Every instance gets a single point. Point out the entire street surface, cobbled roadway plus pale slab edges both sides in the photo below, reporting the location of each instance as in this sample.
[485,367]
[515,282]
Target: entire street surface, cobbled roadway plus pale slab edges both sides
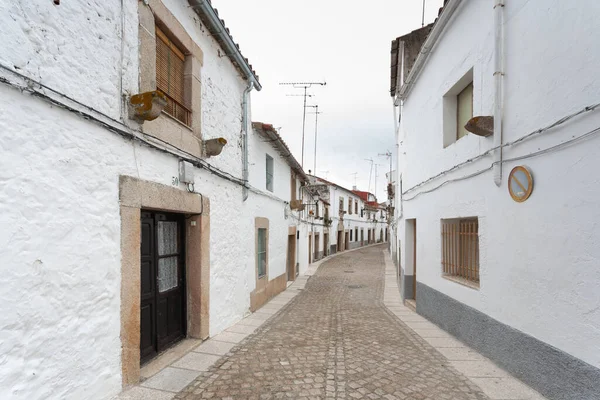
[344,334]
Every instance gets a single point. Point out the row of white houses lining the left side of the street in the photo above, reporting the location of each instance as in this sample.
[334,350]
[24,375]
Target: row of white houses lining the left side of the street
[139,204]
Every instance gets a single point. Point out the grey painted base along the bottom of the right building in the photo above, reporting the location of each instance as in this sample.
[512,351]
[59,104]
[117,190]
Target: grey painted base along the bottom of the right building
[552,372]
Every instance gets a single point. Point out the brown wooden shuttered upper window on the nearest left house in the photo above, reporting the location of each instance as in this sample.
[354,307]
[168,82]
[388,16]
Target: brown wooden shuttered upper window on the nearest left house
[170,66]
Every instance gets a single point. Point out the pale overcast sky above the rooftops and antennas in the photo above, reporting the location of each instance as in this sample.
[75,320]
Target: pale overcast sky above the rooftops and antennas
[345,43]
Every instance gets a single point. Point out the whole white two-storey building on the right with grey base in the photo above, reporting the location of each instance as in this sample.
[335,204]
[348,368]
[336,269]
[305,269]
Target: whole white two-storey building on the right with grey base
[507,263]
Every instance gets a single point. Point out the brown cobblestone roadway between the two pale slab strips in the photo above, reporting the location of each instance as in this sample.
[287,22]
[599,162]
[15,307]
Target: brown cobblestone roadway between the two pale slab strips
[336,340]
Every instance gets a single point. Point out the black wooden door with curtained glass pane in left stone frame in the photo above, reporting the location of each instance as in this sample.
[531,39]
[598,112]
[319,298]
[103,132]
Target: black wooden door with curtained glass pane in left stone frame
[162,311]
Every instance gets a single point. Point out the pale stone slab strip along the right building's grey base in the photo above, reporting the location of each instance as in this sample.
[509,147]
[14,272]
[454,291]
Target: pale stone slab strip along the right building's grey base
[495,383]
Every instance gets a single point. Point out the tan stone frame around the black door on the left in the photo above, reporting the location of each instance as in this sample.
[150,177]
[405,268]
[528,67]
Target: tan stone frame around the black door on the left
[134,195]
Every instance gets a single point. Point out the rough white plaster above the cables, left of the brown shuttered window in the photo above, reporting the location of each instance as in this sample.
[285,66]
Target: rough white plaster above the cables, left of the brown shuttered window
[44,41]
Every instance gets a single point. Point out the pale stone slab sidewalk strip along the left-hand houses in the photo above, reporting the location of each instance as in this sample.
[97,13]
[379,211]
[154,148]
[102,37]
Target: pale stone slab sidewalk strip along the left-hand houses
[173,370]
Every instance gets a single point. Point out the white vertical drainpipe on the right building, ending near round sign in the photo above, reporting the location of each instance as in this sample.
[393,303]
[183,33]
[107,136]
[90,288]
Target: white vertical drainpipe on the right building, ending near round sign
[498,81]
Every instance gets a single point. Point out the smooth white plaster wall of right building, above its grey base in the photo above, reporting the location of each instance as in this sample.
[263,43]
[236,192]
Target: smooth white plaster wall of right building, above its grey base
[538,259]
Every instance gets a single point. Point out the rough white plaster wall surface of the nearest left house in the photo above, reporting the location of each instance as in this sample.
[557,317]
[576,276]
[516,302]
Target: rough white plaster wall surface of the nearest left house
[60,246]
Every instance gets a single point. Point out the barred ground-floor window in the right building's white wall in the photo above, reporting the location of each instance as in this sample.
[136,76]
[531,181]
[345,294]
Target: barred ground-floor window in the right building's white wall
[460,248]
